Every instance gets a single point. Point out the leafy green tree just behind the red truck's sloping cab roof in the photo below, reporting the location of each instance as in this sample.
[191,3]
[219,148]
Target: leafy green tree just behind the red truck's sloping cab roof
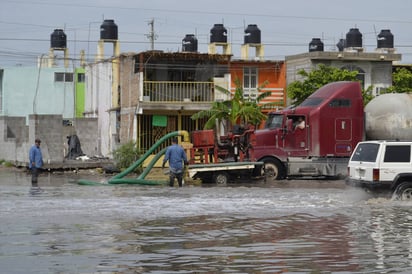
[299,91]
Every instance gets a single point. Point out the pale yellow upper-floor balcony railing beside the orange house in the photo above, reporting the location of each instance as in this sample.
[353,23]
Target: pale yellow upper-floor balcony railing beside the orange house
[170,91]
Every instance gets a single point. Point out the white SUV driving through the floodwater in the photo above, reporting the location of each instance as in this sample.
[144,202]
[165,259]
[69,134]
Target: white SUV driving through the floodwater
[382,164]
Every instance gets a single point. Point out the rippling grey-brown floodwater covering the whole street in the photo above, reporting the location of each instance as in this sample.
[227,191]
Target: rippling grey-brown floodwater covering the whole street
[285,227]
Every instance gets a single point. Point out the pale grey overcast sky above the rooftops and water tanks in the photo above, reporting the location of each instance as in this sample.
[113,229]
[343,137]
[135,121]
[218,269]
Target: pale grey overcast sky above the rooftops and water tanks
[286,26]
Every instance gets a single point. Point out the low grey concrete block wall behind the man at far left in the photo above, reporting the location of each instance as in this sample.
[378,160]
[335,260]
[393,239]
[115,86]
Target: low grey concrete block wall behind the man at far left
[16,138]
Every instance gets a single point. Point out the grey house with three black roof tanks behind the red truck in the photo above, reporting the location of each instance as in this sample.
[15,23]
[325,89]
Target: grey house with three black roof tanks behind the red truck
[374,67]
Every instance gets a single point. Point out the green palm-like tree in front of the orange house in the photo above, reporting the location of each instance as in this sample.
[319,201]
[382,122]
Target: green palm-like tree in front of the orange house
[237,110]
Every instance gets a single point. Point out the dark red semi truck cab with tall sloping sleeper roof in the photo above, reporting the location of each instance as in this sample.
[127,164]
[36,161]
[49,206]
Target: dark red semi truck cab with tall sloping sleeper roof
[317,137]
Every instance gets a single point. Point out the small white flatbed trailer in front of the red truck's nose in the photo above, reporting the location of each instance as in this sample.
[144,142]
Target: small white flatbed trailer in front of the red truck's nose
[222,173]
